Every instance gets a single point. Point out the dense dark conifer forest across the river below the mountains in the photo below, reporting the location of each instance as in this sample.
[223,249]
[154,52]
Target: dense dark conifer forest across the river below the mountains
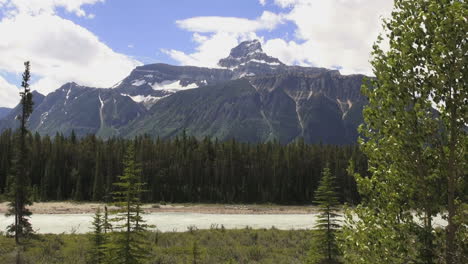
[183,169]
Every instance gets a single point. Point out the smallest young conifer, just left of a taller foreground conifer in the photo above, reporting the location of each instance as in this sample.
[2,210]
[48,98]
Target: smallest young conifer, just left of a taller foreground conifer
[98,239]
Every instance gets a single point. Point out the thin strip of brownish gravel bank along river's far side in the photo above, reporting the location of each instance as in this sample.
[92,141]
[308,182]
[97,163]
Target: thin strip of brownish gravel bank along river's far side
[89,208]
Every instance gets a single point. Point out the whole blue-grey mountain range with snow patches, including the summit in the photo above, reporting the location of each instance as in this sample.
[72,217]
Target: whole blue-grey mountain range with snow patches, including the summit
[252,97]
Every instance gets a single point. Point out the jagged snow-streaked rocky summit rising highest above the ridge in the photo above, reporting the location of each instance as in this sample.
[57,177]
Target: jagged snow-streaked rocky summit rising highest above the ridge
[248,52]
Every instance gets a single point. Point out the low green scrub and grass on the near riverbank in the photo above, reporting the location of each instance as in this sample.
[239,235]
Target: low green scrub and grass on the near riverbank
[216,245]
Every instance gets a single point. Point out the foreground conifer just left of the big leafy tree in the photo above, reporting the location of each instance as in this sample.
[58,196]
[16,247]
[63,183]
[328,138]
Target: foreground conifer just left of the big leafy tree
[324,244]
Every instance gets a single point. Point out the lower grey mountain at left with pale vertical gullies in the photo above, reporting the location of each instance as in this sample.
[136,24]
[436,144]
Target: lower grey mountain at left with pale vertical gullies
[84,109]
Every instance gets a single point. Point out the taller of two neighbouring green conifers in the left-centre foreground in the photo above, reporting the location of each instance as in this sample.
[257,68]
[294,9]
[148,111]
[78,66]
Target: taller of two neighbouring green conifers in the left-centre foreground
[128,245]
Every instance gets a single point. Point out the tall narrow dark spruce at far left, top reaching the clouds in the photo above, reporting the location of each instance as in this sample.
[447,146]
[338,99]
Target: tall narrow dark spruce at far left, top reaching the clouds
[19,193]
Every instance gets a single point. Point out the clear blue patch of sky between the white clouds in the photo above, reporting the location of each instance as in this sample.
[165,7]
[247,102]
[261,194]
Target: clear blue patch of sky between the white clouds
[141,28]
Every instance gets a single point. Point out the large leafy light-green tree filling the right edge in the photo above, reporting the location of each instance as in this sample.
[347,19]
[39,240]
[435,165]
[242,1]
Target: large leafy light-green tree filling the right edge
[415,138]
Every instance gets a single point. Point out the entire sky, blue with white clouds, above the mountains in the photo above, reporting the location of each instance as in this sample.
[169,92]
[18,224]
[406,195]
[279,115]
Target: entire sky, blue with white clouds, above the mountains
[98,42]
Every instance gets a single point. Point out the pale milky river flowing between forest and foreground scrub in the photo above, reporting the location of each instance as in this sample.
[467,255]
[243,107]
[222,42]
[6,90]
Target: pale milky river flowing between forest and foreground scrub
[176,222]
